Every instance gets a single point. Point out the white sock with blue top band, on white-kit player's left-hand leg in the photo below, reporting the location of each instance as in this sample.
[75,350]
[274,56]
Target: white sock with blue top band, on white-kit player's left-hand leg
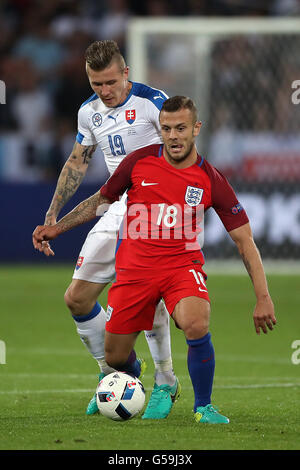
[91,330]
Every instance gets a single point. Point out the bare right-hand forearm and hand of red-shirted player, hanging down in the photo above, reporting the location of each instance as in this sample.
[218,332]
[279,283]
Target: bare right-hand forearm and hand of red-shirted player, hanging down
[264,316]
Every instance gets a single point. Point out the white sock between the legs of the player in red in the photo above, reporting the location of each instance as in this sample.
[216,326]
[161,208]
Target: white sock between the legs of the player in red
[159,343]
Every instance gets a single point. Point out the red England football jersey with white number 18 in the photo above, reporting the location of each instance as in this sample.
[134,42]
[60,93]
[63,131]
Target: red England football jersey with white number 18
[165,208]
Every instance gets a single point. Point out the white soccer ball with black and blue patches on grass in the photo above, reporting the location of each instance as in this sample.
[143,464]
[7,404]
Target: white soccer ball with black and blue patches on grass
[120,396]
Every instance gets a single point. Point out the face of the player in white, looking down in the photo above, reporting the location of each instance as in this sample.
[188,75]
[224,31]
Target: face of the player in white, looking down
[110,84]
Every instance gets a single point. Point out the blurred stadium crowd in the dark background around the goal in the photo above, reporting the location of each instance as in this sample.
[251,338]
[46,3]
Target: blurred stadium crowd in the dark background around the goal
[41,62]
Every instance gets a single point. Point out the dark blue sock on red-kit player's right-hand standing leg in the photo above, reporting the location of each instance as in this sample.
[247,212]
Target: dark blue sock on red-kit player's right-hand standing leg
[201,366]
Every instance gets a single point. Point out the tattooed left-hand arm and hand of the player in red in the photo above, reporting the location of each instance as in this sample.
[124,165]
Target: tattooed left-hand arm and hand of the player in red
[84,212]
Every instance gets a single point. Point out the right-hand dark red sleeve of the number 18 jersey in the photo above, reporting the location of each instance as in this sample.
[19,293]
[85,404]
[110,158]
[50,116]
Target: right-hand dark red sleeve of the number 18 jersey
[225,202]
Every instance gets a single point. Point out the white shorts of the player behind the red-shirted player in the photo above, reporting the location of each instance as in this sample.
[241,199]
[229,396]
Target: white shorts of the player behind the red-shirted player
[96,261]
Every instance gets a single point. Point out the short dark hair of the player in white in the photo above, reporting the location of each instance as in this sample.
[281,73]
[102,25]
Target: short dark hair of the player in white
[100,54]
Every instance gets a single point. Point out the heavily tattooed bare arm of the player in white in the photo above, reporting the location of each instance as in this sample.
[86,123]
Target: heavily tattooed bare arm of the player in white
[70,179]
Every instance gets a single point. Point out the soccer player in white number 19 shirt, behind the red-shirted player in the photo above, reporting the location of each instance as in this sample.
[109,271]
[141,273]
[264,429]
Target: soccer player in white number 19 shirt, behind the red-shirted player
[120,117]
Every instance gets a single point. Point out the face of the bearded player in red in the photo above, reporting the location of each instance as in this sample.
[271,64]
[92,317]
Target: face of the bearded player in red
[178,130]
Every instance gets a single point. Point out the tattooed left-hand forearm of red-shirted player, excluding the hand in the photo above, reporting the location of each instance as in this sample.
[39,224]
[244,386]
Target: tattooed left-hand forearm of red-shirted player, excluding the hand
[84,212]
